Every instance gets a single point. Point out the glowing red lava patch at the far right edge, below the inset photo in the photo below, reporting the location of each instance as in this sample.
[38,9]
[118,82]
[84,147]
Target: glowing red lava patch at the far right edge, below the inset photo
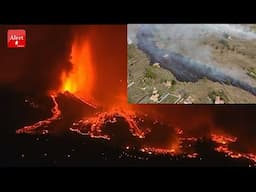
[223,147]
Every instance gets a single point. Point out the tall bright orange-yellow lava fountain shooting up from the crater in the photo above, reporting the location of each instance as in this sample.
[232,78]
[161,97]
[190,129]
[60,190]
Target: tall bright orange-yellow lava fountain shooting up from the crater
[80,79]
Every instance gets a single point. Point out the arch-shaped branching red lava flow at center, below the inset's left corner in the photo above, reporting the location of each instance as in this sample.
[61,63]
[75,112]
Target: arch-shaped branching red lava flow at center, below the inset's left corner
[93,126]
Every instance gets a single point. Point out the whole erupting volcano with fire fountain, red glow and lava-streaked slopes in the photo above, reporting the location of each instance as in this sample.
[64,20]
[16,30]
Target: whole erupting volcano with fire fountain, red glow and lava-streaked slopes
[89,110]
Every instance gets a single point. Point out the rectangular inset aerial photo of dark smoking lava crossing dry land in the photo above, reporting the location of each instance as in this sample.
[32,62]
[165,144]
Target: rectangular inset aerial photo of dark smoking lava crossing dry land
[191,63]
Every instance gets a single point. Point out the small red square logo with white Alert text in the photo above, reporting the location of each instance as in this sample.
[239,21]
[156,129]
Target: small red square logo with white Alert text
[16,38]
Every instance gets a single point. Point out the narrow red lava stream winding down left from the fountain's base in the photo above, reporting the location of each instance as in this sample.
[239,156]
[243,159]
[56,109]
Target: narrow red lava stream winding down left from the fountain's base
[33,128]
